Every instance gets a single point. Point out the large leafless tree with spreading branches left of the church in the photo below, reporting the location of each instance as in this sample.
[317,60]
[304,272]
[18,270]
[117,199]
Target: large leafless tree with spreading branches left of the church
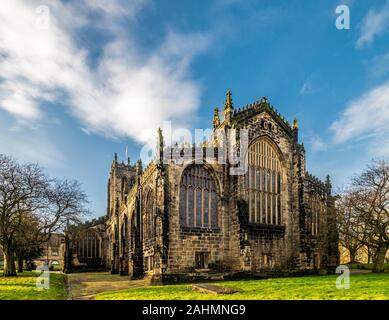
[27,193]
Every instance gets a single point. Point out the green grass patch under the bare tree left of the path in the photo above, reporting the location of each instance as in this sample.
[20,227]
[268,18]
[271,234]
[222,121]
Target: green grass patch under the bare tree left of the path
[23,287]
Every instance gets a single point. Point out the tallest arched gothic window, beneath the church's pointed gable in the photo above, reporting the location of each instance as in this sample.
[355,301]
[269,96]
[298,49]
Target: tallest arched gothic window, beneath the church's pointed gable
[263,184]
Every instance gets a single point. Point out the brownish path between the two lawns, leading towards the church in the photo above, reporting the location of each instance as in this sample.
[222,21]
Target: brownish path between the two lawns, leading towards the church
[84,286]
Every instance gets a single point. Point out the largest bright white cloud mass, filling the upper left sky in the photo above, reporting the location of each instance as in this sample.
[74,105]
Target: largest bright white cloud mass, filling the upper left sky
[130,92]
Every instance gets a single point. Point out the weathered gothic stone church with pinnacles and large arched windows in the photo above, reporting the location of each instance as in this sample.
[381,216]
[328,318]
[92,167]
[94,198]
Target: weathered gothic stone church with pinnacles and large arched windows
[173,221]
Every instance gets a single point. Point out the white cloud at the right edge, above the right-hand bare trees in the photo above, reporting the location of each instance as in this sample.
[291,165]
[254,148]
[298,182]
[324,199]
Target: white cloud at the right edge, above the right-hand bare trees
[364,117]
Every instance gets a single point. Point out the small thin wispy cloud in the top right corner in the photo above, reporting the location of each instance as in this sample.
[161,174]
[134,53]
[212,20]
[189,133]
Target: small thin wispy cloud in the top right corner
[373,24]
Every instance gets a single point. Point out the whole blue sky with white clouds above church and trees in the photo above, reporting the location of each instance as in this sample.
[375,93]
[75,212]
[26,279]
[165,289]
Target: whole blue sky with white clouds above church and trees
[88,78]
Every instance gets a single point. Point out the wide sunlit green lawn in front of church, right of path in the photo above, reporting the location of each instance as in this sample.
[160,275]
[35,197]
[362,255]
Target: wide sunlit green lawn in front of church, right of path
[362,286]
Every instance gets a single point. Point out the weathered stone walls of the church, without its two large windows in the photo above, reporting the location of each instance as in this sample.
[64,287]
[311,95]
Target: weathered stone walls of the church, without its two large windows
[169,250]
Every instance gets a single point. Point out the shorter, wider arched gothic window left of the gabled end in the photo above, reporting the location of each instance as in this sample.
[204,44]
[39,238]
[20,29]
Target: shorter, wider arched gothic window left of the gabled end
[198,203]
